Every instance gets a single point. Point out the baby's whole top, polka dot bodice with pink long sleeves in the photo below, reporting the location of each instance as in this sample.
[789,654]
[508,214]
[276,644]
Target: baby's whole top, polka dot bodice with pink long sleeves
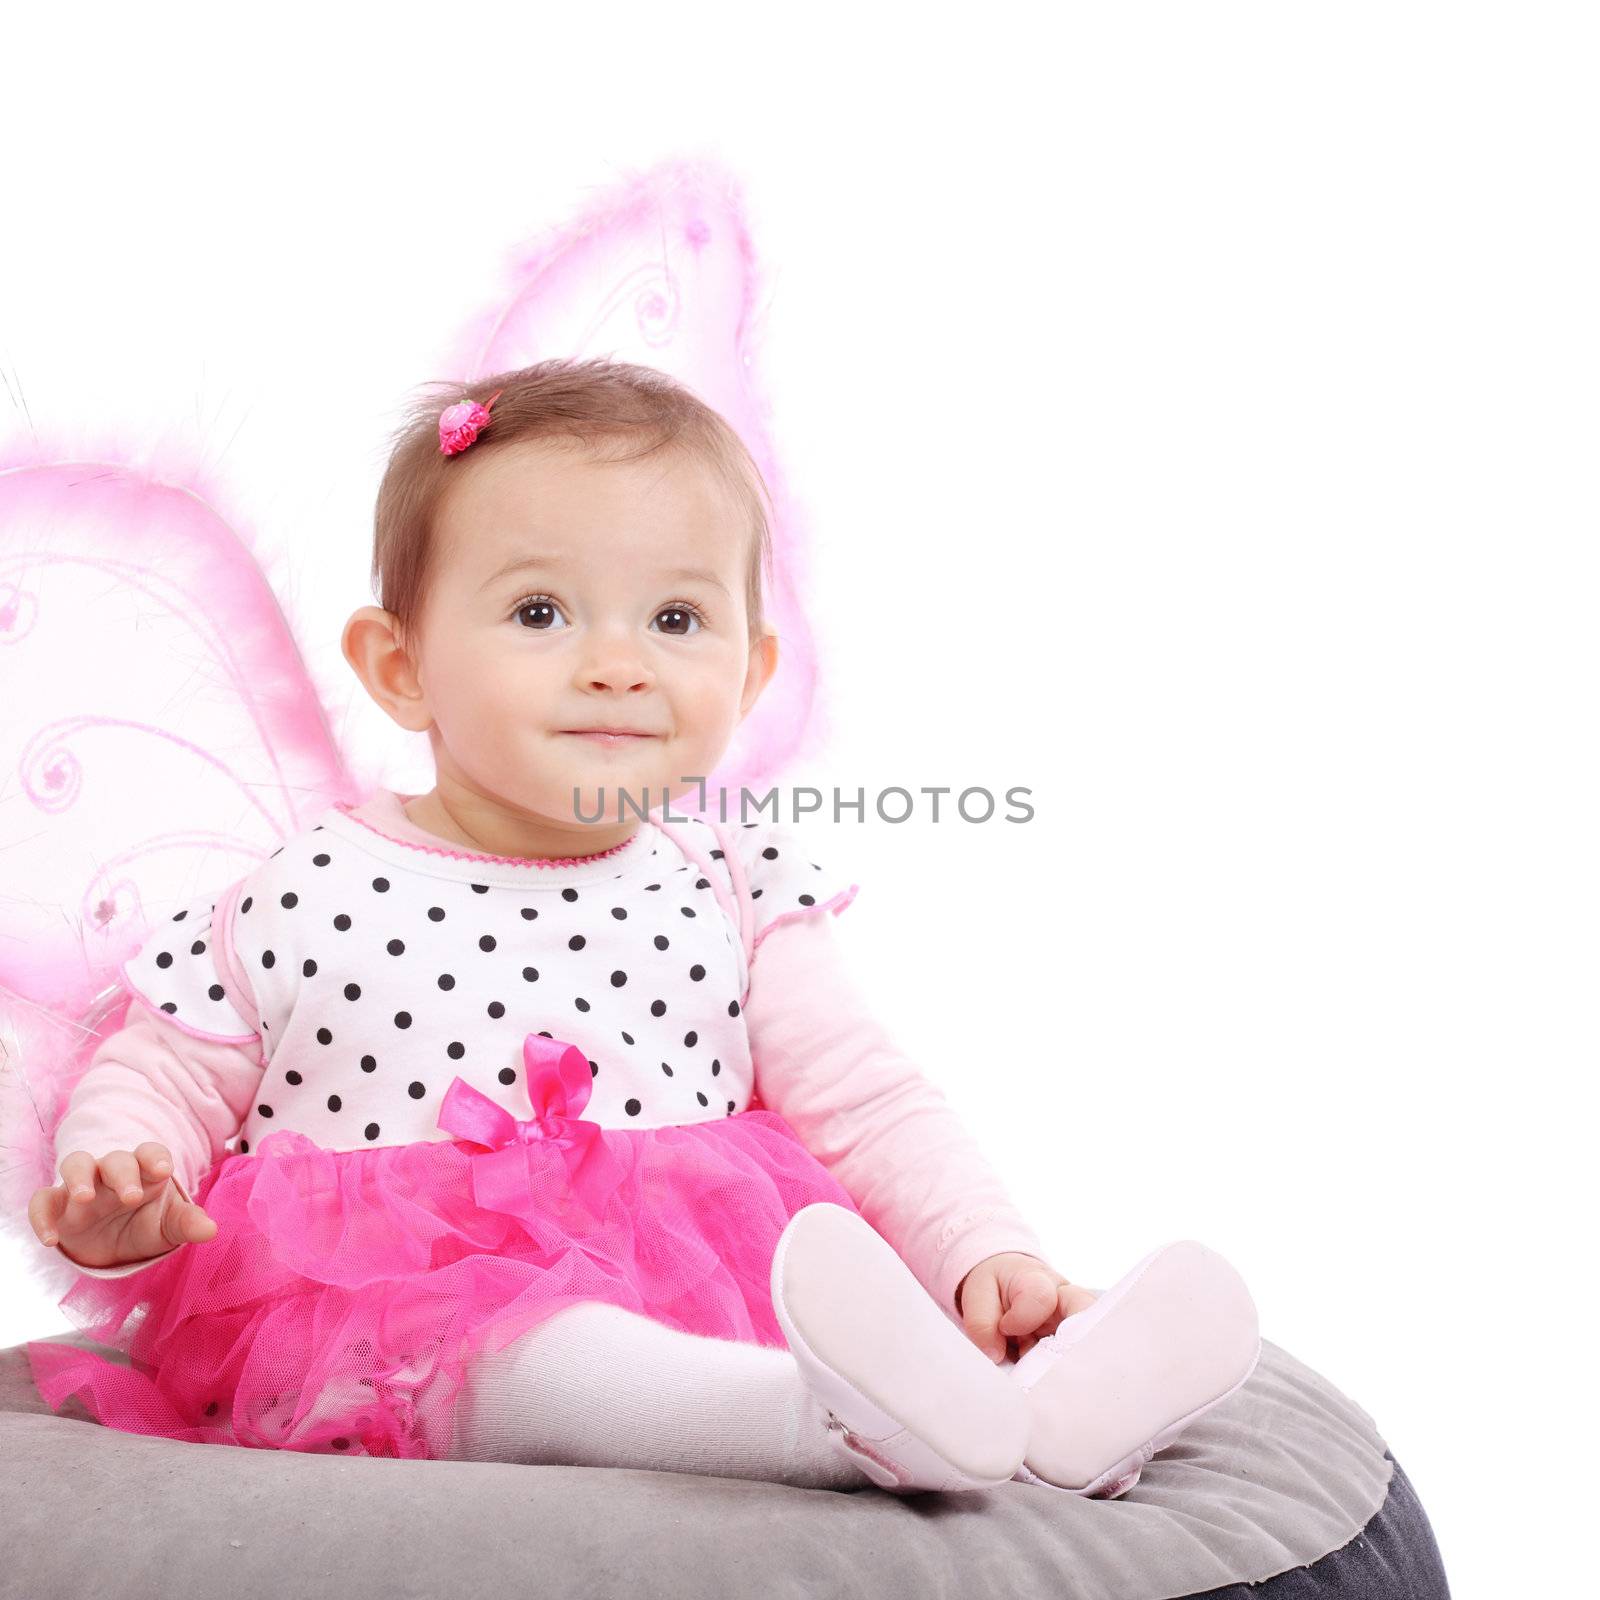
[231,1026]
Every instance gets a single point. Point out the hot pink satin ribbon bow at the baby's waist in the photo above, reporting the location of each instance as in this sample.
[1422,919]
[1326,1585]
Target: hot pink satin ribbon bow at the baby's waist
[559,1084]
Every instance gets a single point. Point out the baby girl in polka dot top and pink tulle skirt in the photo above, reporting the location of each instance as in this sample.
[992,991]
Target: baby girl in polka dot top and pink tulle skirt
[529,1121]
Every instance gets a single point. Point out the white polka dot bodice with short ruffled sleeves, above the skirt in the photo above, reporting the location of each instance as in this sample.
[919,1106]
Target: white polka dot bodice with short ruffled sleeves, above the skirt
[374,969]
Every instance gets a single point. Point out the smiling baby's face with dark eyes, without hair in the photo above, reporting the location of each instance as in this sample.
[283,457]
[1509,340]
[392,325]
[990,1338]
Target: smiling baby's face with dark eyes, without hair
[572,594]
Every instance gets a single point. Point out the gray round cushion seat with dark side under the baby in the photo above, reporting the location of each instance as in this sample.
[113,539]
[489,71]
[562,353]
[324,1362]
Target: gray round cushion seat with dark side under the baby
[1286,1478]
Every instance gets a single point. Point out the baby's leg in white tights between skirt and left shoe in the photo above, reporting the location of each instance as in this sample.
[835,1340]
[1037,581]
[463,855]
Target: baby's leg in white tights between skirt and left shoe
[599,1386]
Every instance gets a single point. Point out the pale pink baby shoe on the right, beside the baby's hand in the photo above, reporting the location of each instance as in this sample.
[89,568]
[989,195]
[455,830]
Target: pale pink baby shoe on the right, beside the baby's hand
[1121,1380]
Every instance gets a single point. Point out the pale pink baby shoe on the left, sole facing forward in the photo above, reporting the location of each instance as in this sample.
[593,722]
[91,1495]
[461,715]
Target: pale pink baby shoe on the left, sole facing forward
[910,1398]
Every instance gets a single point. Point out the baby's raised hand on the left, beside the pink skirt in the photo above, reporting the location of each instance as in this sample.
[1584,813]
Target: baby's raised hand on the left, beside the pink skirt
[119,1209]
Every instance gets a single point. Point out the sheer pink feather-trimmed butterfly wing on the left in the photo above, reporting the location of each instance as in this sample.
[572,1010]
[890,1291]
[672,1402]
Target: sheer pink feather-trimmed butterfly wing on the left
[159,735]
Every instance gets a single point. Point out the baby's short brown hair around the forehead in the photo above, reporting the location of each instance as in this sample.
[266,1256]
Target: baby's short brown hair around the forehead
[580,402]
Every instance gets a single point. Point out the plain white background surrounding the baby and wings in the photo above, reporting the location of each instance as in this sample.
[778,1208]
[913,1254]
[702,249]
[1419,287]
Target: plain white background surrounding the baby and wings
[1196,409]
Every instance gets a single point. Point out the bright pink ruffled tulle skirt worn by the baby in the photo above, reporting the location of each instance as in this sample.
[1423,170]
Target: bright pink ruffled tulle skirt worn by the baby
[346,1292]
